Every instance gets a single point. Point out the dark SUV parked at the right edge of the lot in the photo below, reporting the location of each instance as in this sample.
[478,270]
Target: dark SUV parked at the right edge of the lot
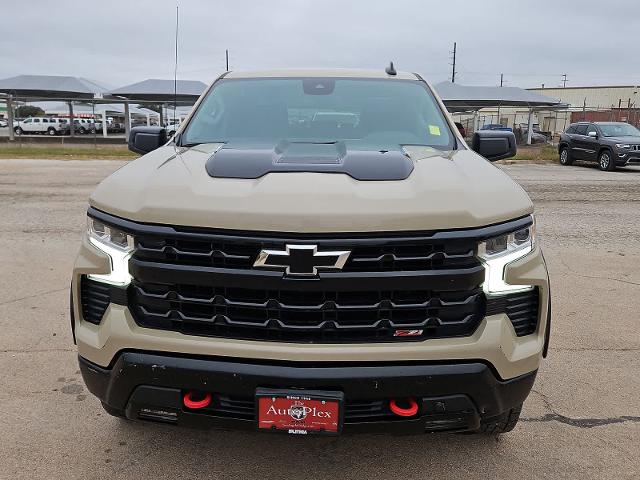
[611,144]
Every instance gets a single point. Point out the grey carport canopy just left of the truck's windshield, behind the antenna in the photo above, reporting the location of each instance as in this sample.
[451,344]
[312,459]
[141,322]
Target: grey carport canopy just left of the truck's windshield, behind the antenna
[161,91]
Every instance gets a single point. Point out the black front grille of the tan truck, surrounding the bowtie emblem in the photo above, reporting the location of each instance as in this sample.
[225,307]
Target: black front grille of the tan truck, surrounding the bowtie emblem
[395,287]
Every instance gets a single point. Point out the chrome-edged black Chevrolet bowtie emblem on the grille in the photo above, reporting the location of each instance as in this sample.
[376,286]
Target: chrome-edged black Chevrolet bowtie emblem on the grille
[301,259]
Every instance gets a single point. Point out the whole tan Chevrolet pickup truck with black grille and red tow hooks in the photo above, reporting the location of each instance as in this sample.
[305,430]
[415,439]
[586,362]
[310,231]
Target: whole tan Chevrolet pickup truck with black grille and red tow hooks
[263,270]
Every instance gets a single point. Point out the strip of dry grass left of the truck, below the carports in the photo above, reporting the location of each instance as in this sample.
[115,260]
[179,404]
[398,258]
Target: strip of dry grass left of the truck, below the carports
[69,153]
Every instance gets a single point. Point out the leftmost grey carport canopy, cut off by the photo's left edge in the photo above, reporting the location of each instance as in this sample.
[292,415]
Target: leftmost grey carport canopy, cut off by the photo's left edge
[51,86]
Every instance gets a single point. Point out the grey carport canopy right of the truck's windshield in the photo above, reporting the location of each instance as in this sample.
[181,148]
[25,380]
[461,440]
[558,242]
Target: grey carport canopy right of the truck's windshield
[458,97]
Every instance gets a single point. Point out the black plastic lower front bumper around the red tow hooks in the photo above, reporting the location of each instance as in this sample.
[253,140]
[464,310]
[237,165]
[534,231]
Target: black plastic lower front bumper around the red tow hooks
[451,396]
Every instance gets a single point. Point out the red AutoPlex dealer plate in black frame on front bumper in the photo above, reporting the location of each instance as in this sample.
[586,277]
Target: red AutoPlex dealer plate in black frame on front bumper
[312,420]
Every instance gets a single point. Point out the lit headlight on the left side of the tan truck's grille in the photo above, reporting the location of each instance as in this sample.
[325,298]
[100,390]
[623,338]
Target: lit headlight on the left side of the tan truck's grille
[115,243]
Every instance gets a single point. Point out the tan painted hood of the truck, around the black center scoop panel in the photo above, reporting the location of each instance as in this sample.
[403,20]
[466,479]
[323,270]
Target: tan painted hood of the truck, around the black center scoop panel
[444,190]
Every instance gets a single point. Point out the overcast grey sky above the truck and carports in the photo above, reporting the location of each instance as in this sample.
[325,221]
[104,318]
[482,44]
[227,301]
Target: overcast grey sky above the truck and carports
[118,42]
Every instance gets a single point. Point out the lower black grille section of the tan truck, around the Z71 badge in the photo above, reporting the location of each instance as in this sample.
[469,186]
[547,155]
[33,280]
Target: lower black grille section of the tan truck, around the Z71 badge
[300,316]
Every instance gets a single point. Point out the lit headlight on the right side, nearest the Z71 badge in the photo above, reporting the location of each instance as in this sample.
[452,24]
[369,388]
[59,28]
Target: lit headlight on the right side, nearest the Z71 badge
[497,252]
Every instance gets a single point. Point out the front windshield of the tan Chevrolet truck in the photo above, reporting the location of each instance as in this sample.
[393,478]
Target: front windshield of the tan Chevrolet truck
[364,111]
